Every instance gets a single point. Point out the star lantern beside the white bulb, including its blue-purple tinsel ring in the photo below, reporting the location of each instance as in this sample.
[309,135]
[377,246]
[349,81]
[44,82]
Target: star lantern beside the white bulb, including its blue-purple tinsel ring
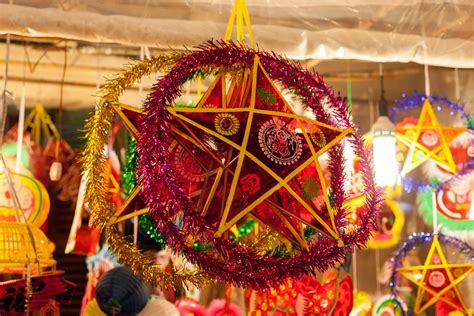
[426,140]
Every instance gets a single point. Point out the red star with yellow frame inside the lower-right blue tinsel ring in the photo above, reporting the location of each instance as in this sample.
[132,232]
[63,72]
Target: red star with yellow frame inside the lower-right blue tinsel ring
[437,279]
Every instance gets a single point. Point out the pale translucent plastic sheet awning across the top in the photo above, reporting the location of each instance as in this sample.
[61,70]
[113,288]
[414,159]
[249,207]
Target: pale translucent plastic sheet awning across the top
[432,32]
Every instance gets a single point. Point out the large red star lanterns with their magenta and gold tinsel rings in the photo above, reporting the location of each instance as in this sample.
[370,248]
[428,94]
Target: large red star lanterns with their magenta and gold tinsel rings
[240,153]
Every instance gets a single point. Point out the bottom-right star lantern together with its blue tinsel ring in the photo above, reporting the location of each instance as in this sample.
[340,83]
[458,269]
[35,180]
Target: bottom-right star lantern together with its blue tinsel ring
[437,279]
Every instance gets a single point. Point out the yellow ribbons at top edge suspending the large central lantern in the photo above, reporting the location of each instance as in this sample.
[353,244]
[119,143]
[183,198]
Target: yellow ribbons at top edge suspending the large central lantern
[240,15]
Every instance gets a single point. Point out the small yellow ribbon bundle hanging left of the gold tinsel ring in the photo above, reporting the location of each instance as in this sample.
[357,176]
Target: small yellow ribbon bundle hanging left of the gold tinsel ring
[39,121]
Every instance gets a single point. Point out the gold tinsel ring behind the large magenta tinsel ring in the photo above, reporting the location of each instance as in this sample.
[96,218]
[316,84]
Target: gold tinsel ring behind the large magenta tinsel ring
[97,191]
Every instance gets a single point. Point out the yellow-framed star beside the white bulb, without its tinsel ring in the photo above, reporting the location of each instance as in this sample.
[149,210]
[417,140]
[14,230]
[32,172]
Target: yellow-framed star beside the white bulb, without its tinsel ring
[428,139]
